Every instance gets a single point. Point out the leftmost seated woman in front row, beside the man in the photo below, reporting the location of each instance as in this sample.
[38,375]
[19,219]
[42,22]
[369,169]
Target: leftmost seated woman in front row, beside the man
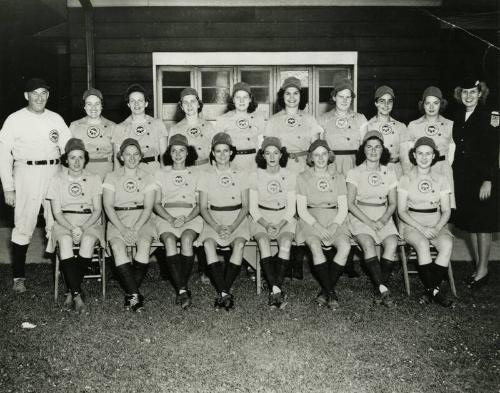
[75,199]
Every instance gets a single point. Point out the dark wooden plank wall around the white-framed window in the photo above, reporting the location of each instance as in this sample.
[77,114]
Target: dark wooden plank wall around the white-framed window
[398,46]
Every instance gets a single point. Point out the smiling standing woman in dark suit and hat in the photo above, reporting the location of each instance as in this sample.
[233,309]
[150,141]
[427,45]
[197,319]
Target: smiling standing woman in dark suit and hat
[476,173]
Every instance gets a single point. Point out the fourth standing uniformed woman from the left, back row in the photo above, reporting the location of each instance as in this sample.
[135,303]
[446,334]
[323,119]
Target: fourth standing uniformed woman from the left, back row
[243,124]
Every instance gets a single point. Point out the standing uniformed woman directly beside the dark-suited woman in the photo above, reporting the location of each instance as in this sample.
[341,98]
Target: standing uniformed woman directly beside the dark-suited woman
[437,127]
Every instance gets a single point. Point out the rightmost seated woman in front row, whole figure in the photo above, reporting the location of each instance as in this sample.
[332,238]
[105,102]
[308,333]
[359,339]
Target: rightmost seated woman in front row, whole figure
[424,210]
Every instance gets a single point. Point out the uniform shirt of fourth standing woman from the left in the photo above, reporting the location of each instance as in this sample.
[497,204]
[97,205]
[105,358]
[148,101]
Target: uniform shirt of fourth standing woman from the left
[244,128]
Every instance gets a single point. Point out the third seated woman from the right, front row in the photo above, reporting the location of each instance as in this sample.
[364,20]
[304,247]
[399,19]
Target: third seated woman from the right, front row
[322,208]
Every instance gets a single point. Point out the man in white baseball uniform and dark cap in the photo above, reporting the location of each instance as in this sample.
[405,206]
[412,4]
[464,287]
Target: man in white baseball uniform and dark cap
[31,142]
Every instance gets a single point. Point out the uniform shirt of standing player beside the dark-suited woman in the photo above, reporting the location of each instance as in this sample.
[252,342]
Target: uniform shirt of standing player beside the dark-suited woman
[440,131]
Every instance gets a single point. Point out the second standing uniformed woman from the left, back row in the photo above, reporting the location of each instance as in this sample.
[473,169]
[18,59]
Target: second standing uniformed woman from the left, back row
[151,133]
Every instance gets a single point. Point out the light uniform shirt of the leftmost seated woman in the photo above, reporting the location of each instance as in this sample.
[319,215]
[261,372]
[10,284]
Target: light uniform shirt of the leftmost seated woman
[74,194]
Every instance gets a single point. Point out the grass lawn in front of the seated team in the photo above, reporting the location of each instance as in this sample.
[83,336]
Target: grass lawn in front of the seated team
[359,348]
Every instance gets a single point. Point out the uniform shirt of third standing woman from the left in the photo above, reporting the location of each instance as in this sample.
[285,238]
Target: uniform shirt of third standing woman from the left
[199,135]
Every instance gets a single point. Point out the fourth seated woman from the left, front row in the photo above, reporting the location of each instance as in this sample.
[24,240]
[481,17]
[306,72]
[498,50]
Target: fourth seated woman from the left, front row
[224,206]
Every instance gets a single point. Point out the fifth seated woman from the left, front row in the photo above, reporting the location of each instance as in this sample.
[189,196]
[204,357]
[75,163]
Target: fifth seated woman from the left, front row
[272,207]
